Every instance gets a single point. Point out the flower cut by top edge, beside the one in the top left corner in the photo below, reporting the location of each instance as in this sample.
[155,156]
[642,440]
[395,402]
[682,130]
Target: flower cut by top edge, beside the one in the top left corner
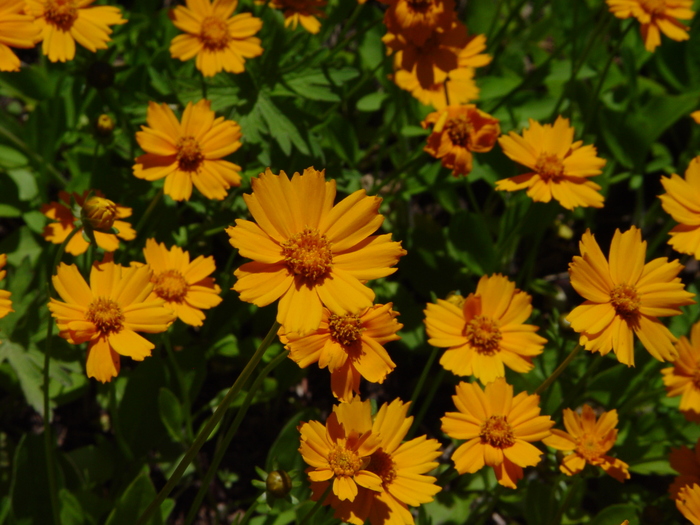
[65,22]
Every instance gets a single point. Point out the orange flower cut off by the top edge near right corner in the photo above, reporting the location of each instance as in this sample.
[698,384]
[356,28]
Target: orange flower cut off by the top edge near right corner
[656,17]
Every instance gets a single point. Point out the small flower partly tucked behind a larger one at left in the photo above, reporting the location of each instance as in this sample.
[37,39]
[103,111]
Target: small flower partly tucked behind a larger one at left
[184,285]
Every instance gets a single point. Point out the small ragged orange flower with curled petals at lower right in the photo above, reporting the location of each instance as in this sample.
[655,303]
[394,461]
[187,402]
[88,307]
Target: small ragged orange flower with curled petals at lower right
[589,441]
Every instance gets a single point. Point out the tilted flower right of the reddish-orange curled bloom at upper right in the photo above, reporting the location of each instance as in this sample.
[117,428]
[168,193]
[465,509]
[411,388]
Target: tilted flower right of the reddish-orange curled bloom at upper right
[560,167]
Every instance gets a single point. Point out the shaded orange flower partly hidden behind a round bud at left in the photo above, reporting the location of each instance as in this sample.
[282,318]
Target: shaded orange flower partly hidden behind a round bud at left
[65,222]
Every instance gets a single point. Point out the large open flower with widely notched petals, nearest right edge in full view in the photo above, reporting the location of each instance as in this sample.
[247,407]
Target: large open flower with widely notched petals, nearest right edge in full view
[624,297]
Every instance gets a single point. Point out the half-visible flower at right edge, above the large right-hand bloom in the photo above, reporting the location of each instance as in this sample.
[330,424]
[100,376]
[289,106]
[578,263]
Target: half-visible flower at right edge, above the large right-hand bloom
[681,202]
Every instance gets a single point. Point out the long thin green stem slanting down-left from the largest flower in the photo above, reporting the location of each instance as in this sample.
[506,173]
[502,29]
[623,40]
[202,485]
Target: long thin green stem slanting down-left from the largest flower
[210,425]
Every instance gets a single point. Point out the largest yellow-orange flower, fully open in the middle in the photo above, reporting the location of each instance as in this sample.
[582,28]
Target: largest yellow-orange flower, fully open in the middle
[307,252]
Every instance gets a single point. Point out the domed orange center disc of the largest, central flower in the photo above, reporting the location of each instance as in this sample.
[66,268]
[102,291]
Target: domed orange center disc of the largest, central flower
[308,254]
